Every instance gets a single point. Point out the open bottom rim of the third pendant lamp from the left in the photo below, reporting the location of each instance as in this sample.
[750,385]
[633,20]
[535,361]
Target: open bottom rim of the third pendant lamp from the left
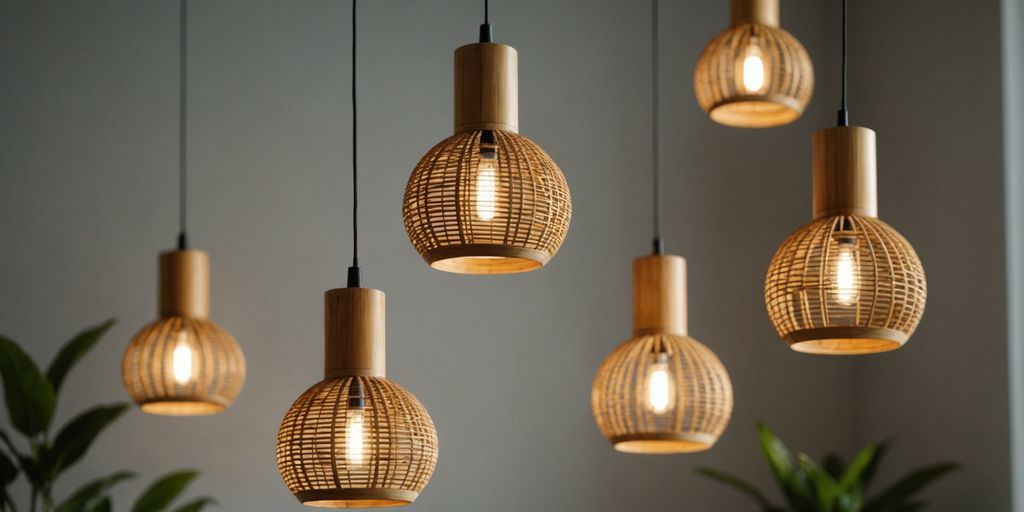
[486,259]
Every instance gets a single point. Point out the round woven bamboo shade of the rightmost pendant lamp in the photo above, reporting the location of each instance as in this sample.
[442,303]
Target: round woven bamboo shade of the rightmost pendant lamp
[879,310]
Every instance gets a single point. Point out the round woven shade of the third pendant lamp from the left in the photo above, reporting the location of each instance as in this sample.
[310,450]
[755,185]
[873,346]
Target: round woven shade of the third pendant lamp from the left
[529,206]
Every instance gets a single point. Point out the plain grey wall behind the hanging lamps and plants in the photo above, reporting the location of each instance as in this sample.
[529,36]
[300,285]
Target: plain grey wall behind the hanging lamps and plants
[89,99]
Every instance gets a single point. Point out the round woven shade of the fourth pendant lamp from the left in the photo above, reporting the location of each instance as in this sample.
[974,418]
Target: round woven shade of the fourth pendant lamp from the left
[702,397]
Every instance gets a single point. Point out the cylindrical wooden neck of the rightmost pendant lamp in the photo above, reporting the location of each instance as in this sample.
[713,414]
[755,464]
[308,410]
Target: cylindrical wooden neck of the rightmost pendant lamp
[845,173]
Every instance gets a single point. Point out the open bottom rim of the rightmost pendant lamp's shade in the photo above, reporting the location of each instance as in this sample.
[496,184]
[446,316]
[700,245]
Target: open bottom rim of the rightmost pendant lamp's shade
[846,340]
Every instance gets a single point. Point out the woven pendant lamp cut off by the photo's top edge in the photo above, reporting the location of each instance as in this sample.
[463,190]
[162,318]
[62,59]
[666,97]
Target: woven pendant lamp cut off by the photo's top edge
[754,75]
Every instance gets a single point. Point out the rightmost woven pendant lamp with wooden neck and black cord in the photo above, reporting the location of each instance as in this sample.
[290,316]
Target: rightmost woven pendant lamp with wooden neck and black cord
[846,283]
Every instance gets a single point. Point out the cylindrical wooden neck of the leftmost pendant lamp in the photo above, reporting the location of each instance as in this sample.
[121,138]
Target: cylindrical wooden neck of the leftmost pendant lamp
[185,284]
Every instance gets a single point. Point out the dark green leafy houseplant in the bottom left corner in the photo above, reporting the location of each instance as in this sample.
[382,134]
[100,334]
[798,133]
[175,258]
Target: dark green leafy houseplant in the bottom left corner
[31,397]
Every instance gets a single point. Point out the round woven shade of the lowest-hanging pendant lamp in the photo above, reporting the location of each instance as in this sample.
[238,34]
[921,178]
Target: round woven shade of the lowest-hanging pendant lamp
[400,447]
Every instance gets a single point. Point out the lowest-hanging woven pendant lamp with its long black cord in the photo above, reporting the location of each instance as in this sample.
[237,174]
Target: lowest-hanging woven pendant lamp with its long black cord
[356,440]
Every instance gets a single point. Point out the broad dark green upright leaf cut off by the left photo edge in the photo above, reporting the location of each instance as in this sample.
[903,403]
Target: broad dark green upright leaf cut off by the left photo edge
[29,397]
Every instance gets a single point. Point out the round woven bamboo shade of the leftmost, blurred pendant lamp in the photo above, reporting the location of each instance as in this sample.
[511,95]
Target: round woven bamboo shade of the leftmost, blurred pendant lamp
[218,368]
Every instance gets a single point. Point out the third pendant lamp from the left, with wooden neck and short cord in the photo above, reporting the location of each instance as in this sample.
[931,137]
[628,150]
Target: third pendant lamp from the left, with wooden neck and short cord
[487,200]
